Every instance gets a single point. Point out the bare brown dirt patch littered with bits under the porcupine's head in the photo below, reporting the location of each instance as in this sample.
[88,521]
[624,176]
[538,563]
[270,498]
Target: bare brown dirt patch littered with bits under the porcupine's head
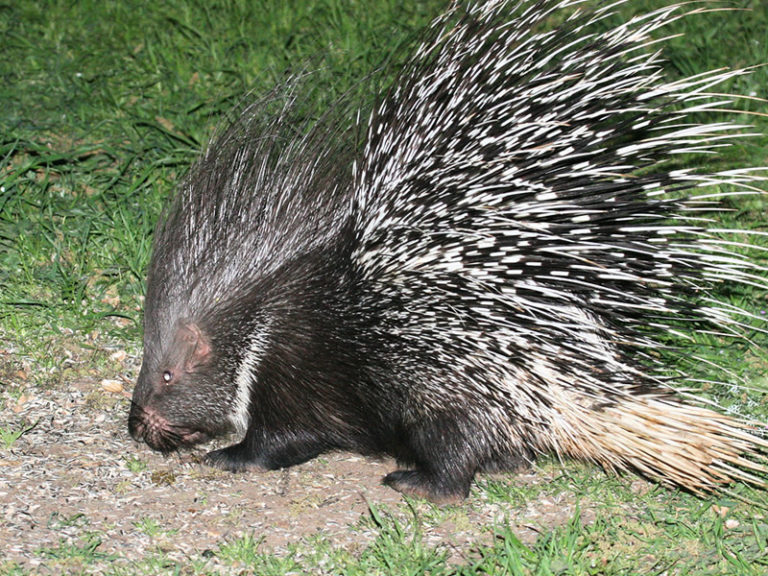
[75,476]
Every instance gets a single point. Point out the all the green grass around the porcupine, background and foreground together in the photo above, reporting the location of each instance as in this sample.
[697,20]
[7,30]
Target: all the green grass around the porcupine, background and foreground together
[106,104]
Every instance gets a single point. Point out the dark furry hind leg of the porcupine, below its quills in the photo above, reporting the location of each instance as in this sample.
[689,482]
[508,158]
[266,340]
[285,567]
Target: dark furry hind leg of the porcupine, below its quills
[444,461]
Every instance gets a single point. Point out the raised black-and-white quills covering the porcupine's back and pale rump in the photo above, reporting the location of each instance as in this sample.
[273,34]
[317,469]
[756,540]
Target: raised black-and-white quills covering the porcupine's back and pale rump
[520,233]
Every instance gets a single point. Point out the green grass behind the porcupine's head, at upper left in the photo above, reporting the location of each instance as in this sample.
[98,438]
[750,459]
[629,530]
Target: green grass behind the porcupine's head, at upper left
[105,104]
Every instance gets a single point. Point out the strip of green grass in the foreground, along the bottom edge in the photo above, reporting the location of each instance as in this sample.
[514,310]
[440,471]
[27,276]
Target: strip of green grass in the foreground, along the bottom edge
[658,533]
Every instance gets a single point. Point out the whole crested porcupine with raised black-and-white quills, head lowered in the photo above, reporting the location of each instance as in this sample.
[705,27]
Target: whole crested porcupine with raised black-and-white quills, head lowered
[487,277]
